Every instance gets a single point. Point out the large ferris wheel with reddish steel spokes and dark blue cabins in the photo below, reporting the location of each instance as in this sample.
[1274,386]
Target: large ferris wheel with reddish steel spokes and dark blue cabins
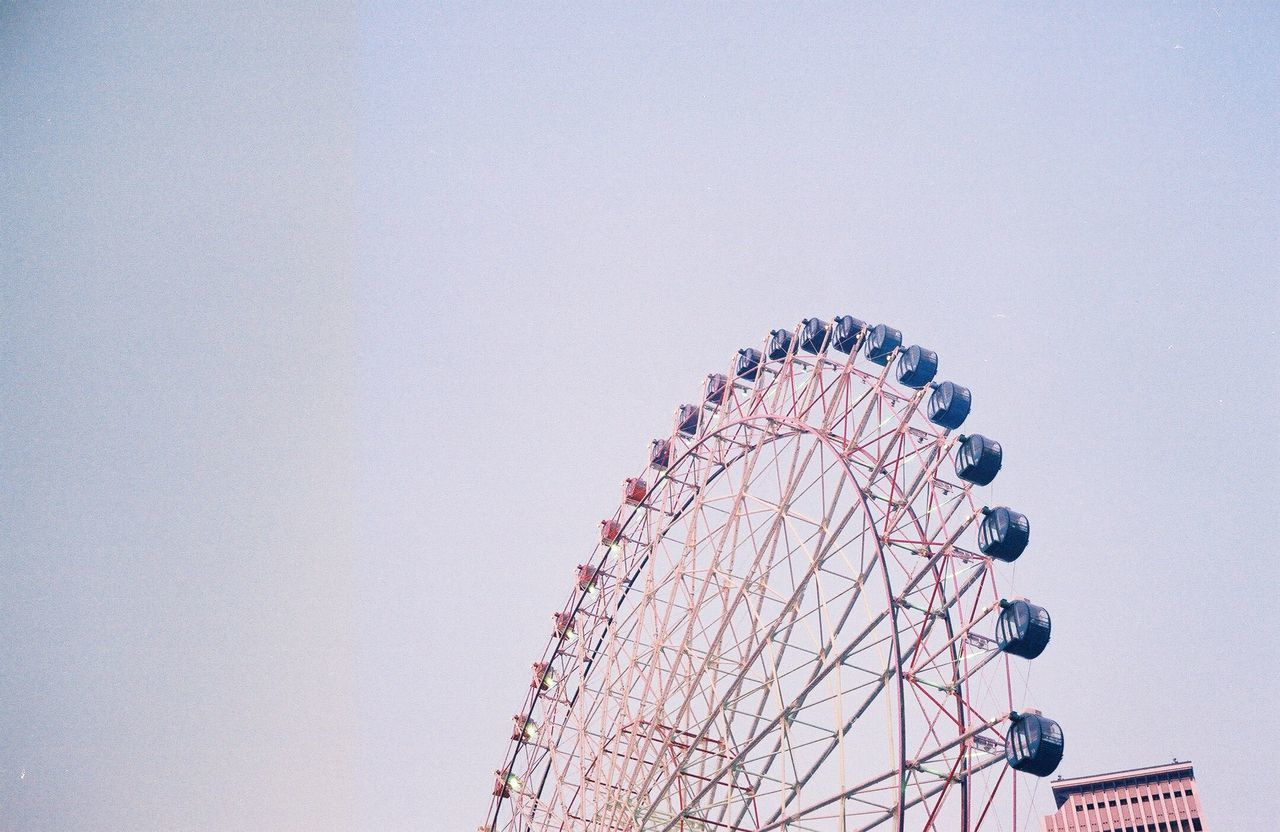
[793,619]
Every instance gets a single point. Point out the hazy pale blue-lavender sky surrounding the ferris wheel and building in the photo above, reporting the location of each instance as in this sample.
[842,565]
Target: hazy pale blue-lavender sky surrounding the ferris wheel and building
[328,333]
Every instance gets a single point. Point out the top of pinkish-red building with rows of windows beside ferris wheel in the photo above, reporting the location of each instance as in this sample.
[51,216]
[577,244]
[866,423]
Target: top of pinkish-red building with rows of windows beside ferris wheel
[1155,799]
